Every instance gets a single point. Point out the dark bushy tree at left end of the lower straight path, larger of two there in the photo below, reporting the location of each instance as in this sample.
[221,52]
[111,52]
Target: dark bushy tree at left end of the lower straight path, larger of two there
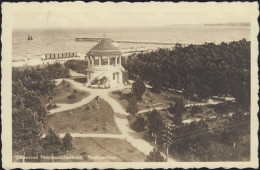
[52,144]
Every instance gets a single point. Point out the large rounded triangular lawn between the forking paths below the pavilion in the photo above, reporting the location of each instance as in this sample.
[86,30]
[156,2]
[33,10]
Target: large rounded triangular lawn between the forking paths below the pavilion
[93,117]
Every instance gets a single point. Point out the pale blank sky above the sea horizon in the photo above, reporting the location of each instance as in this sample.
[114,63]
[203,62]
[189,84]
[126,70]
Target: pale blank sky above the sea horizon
[53,15]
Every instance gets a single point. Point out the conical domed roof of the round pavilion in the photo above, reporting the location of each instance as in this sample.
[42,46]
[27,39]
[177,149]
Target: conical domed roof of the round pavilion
[104,48]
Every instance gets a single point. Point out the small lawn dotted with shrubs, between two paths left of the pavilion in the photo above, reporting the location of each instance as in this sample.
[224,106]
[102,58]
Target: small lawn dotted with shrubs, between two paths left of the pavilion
[67,93]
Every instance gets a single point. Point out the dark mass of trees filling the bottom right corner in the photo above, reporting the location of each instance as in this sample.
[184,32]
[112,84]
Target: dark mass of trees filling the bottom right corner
[197,142]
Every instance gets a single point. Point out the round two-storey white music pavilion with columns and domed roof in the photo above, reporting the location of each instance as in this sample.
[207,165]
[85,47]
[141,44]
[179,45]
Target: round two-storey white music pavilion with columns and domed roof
[104,65]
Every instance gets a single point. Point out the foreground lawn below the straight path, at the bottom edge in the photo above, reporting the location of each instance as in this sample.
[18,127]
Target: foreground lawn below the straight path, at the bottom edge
[106,150]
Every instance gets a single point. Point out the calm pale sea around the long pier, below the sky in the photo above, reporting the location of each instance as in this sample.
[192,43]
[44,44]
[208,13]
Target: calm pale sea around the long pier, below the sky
[62,40]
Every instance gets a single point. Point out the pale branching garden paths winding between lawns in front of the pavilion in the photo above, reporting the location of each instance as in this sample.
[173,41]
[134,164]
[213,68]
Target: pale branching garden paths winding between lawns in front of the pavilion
[127,133]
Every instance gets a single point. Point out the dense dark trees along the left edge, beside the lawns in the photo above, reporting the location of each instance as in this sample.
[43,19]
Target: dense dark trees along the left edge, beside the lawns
[32,91]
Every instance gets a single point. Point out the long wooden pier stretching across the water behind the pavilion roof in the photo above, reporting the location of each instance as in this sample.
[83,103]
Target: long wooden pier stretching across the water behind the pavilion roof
[118,41]
